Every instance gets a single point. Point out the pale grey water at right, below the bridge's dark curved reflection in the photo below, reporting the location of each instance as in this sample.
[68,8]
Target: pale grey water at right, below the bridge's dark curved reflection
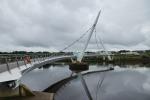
[131,83]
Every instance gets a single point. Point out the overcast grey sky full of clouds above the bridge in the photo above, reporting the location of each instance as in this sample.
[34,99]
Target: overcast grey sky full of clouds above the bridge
[49,25]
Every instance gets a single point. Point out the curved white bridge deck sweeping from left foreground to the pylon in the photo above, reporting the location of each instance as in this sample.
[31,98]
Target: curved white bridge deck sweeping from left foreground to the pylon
[15,73]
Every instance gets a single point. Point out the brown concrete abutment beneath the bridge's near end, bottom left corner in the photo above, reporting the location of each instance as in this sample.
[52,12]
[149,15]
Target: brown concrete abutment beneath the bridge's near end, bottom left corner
[23,93]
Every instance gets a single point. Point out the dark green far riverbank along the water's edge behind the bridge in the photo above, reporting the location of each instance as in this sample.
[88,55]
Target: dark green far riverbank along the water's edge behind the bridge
[142,60]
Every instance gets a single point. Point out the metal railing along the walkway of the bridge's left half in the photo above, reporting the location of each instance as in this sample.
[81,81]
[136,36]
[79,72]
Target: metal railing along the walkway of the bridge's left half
[10,61]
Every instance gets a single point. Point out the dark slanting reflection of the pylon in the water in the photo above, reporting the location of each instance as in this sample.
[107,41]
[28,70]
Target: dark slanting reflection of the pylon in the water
[84,86]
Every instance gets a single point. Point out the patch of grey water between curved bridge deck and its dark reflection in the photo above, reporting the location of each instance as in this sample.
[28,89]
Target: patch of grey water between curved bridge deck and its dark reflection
[40,79]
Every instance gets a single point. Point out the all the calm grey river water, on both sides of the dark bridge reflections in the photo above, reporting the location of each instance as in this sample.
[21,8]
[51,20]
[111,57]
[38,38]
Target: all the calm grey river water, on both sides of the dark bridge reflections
[129,82]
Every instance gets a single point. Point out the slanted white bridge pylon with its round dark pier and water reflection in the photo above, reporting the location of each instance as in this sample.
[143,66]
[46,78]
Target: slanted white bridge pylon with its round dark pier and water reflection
[77,66]
